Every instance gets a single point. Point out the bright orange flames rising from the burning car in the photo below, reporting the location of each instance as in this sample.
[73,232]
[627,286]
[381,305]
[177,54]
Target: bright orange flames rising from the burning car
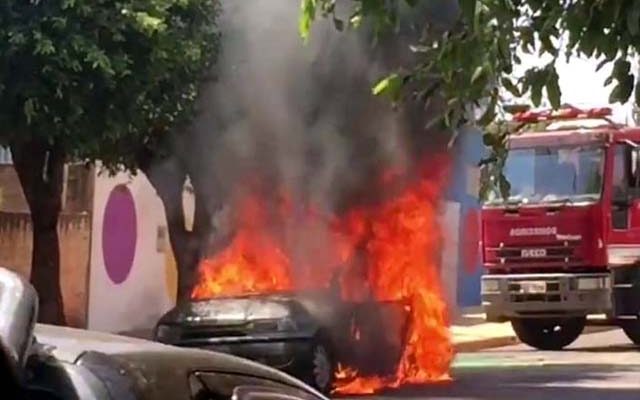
[389,251]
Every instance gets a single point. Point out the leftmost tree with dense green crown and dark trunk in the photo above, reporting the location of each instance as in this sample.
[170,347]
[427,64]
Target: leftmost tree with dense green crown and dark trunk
[93,80]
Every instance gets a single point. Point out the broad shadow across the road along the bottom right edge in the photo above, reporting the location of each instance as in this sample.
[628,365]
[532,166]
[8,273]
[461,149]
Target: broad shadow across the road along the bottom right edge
[535,383]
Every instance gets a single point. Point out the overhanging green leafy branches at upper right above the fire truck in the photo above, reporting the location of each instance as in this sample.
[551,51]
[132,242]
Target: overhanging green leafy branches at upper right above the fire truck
[472,64]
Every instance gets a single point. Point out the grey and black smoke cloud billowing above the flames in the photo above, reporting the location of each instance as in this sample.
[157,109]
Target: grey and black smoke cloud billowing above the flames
[302,117]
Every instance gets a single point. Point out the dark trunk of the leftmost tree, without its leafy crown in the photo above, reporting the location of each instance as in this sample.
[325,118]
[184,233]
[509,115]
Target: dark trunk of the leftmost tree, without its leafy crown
[40,169]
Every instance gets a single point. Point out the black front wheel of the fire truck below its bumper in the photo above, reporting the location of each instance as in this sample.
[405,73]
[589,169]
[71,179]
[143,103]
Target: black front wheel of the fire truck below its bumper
[548,334]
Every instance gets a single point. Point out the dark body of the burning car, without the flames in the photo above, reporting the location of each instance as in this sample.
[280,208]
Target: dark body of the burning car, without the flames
[304,334]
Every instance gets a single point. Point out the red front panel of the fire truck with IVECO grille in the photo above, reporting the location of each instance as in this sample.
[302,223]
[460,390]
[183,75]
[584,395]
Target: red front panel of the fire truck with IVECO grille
[543,239]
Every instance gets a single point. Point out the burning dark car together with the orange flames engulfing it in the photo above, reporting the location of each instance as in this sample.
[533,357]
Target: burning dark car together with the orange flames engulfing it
[347,300]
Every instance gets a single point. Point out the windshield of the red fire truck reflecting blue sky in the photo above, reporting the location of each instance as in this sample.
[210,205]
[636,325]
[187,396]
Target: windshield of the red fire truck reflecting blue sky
[552,174]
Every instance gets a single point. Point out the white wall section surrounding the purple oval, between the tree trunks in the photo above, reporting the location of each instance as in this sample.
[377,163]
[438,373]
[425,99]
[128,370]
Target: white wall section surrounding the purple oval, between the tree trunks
[138,301]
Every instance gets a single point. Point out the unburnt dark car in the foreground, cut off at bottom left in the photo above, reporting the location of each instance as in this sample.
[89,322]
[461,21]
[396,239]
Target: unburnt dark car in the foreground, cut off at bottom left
[56,363]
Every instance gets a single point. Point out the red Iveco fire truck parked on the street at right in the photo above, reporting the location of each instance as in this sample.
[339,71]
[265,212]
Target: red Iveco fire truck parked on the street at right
[564,243]
